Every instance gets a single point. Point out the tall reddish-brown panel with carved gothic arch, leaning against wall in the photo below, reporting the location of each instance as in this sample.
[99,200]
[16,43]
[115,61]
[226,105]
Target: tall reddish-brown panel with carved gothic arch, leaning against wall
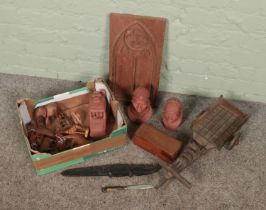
[135,54]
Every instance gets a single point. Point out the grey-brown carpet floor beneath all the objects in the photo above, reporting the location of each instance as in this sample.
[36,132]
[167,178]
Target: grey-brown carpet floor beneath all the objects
[223,179]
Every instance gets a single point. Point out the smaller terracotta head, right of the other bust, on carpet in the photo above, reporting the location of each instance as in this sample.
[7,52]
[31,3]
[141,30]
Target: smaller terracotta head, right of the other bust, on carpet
[172,114]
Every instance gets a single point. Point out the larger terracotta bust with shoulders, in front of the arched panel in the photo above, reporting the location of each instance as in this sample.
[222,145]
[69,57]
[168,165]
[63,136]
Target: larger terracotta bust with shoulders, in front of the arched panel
[140,109]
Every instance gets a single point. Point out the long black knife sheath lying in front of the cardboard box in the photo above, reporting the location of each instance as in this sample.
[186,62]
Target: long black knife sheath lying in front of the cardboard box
[114,170]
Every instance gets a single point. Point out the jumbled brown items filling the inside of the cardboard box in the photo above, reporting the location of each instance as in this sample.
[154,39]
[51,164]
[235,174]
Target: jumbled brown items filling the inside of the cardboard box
[54,129]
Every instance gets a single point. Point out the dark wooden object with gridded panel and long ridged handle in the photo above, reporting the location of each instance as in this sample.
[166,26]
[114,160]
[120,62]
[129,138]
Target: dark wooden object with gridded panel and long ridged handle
[216,127]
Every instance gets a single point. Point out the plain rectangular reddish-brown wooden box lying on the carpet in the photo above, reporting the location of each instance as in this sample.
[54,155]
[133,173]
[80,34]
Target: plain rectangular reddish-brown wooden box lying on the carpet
[157,142]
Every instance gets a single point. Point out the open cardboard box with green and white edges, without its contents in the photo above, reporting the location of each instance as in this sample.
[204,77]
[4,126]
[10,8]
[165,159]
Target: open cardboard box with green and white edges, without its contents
[44,162]
